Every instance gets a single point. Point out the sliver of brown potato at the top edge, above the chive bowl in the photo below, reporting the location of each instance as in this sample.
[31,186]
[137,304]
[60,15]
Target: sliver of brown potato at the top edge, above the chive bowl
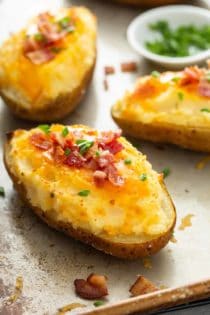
[148,3]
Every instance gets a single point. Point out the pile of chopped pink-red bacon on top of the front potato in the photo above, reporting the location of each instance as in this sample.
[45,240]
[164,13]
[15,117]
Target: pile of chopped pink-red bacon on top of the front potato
[100,157]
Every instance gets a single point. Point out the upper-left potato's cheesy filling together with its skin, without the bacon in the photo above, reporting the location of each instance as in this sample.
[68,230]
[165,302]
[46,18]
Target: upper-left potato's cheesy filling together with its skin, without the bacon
[49,91]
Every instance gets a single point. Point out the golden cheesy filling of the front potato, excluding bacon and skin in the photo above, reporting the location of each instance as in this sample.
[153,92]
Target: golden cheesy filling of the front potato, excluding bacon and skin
[134,209]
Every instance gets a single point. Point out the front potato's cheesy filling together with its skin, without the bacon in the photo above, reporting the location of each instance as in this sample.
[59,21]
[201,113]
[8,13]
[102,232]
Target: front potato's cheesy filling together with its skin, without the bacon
[130,221]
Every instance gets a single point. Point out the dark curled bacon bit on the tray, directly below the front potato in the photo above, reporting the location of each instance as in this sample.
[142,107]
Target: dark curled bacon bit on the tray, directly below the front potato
[95,287]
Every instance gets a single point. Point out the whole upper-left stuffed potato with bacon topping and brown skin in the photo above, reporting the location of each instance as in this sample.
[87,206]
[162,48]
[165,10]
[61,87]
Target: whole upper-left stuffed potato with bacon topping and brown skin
[46,67]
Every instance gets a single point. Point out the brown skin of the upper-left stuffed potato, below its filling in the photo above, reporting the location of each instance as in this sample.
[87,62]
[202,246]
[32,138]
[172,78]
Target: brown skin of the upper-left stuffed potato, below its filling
[63,105]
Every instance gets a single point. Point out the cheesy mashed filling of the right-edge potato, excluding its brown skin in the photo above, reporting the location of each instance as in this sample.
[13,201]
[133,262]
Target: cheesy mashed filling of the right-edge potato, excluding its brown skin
[161,100]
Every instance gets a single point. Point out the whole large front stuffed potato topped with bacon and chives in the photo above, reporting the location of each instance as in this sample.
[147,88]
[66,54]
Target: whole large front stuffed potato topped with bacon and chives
[94,186]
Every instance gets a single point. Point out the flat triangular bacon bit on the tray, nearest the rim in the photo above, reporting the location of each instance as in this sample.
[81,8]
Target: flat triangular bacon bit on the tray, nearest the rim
[142,286]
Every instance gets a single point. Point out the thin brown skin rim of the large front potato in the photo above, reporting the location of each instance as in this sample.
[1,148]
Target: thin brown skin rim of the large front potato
[120,250]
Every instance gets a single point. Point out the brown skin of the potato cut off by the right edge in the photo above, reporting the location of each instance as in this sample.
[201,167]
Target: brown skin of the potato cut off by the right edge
[195,139]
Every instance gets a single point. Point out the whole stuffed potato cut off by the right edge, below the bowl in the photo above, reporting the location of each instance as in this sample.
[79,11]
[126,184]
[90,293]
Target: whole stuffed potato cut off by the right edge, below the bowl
[172,107]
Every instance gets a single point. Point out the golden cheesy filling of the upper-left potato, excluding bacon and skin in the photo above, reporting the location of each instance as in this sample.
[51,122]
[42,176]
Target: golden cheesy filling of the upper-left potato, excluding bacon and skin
[36,84]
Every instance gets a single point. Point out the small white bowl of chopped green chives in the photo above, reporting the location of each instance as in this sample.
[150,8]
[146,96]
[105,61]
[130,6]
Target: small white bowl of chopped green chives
[173,36]
